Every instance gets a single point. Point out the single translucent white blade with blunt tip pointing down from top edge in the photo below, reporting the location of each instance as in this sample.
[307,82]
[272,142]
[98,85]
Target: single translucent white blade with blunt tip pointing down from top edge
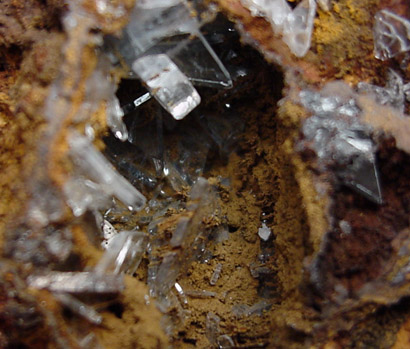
[298,27]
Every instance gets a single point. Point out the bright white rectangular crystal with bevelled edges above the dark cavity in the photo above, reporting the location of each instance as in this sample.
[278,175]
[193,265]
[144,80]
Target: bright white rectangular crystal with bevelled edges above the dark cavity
[167,84]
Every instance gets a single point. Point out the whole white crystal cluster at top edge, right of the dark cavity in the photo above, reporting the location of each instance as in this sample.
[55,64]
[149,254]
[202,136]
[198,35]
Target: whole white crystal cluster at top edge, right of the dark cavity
[295,25]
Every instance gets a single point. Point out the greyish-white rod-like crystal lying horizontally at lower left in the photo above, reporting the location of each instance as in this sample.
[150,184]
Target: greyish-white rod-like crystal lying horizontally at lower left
[77,282]
